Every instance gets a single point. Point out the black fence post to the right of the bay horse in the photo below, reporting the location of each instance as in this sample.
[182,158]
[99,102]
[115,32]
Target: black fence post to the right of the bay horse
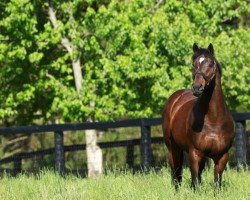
[240,142]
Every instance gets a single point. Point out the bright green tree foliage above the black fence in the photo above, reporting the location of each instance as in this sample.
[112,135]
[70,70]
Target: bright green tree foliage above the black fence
[132,58]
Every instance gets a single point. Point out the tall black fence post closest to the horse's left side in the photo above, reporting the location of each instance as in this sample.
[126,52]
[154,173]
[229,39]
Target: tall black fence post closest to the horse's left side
[145,147]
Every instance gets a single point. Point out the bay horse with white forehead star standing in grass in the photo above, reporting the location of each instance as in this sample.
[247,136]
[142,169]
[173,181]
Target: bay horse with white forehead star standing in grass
[198,121]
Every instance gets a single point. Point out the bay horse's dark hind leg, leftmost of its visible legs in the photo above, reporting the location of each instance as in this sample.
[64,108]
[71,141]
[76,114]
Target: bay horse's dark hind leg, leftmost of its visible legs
[175,157]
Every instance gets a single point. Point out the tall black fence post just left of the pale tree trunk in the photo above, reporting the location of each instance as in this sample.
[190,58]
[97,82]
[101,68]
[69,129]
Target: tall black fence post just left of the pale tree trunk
[59,152]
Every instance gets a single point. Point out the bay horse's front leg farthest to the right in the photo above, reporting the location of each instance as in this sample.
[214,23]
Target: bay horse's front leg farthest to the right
[219,166]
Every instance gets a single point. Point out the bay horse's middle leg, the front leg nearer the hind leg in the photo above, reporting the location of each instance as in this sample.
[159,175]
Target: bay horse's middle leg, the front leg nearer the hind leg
[195,160]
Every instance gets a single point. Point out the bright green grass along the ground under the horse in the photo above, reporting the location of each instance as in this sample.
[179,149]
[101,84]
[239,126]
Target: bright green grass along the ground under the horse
[122,185]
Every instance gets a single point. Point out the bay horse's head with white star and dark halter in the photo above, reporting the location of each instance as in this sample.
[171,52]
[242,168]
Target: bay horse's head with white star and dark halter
[204,68]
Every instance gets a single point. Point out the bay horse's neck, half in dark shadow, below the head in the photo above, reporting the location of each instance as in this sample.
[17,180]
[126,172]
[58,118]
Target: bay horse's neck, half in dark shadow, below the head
[212,102]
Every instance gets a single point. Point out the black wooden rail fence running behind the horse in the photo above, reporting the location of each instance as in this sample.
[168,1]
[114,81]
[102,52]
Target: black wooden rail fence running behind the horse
[145,141]
